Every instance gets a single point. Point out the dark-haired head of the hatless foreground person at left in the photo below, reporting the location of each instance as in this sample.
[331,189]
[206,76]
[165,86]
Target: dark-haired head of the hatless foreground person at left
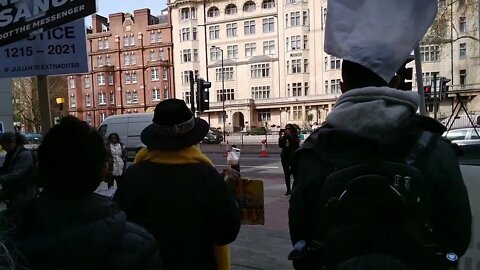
[71,158]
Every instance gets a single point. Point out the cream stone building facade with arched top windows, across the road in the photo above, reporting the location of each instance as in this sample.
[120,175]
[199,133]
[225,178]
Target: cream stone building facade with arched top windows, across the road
[274,68]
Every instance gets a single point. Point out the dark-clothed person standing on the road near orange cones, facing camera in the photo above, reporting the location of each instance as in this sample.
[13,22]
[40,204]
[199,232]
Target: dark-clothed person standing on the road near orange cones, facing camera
[289,142]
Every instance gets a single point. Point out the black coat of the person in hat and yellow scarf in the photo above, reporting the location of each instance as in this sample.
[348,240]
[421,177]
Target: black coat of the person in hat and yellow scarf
[188,208]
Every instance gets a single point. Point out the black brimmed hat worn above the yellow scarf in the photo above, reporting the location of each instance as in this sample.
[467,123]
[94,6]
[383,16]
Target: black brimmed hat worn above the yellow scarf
[174,127]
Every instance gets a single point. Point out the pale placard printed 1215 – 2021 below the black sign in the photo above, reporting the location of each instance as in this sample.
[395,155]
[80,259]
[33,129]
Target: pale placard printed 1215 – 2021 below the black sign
[61,50]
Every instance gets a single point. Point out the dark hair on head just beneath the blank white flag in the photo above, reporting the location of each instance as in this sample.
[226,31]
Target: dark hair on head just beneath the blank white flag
[357,76]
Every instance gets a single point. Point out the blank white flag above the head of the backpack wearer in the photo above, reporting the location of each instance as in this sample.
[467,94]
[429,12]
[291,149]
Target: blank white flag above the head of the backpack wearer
[377,34]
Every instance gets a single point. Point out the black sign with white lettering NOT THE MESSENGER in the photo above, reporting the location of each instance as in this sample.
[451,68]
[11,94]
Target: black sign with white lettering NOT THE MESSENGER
[19,18]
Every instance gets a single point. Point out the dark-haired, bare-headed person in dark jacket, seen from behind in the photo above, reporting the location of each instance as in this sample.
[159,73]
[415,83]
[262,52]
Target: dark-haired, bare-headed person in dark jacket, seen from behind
[69,226]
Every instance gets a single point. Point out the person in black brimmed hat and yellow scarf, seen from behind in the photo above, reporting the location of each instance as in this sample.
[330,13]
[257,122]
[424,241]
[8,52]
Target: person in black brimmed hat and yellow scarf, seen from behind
[174,191]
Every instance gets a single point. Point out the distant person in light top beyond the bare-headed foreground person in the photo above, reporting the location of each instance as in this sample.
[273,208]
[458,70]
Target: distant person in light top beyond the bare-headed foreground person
[118,159]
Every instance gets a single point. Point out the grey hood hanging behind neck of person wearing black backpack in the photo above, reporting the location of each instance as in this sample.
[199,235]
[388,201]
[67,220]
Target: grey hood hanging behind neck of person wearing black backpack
[374,112]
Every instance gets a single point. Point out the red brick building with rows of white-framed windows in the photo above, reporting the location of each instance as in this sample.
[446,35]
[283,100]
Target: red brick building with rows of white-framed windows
[131,66]
